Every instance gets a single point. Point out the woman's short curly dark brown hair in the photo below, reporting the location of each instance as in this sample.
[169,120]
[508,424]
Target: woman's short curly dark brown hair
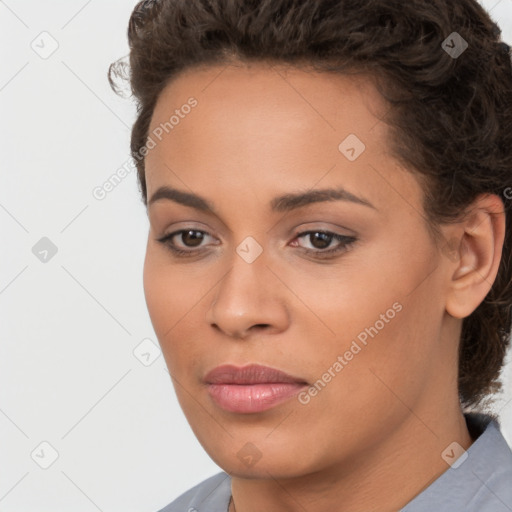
[450,116]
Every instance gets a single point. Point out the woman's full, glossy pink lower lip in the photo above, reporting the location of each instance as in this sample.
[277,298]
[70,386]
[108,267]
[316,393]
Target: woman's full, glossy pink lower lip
[246,398]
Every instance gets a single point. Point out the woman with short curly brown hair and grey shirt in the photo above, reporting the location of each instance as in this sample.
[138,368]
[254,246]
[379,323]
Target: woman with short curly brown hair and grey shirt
[328,267]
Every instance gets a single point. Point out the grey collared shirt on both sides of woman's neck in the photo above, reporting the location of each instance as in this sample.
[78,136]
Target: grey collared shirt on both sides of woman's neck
[481,483]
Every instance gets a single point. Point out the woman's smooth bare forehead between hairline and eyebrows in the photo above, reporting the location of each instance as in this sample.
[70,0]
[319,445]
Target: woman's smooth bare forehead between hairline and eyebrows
[266,126]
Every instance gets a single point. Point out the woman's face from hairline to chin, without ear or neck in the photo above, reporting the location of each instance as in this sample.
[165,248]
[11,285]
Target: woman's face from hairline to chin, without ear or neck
[362,317]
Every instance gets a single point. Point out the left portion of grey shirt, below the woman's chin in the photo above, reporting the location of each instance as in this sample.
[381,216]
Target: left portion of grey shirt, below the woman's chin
[210,495]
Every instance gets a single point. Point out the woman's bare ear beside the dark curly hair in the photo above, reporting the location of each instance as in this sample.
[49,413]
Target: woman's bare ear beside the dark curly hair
[478,255]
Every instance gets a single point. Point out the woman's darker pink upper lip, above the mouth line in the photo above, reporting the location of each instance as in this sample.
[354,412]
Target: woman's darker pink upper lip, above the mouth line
[249,374]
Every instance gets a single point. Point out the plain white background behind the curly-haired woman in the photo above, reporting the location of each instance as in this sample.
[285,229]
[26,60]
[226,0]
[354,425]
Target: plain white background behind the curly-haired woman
[71,326]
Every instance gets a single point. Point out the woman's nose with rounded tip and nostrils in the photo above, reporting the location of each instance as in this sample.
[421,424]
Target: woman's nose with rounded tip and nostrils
[248,299]
